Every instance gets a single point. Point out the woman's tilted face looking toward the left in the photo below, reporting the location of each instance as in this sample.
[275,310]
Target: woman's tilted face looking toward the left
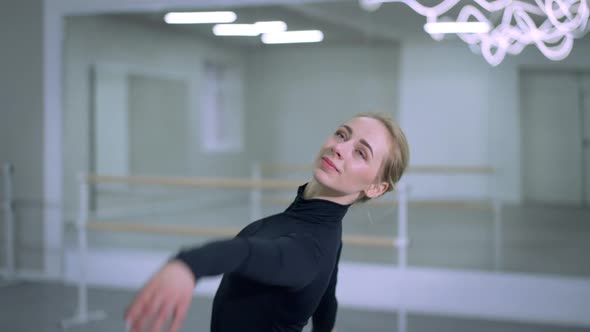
[350,160]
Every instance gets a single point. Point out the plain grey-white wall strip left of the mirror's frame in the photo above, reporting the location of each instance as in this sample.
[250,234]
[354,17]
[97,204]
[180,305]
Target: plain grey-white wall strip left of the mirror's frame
[21,123]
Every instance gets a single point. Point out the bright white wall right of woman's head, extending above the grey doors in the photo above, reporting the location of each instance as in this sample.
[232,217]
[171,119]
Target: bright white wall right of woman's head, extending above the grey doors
[458,110]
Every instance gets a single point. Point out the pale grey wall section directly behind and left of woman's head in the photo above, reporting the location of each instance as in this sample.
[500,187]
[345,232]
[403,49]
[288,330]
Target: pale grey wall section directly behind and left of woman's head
[298,95]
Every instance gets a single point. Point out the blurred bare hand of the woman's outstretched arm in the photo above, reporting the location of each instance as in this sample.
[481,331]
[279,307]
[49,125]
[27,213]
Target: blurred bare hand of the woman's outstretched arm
[168,293]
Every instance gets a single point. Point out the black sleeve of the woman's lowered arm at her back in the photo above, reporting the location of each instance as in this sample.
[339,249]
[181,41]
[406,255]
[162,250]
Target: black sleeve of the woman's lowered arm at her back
[324,317]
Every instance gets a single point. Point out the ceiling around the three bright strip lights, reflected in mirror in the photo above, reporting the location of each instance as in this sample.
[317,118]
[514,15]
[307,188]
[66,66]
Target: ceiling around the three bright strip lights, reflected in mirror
[342,21]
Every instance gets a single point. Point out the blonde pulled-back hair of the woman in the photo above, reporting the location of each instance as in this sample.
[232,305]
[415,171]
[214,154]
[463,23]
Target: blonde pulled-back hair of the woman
[398,159]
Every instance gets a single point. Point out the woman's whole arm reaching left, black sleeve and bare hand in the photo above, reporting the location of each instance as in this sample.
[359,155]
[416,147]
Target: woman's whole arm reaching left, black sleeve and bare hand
[279,261]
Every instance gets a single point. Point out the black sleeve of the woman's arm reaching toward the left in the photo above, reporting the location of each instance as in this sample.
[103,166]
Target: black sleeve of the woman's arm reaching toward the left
[292,260]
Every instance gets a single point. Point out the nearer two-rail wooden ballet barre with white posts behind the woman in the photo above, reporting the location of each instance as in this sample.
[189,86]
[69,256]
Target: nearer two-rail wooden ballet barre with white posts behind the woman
[84,224]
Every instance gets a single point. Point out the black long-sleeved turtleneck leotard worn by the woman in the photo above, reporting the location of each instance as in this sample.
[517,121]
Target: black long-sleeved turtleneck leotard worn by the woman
[278,271]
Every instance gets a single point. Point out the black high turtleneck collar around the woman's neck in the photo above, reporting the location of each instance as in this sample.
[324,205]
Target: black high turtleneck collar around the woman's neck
[315,209]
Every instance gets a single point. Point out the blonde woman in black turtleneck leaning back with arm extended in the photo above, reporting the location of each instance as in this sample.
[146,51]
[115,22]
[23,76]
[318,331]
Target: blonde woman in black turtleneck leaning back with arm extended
[282,270]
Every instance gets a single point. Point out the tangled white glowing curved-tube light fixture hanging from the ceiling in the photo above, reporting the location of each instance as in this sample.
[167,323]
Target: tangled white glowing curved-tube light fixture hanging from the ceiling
[562,22]
